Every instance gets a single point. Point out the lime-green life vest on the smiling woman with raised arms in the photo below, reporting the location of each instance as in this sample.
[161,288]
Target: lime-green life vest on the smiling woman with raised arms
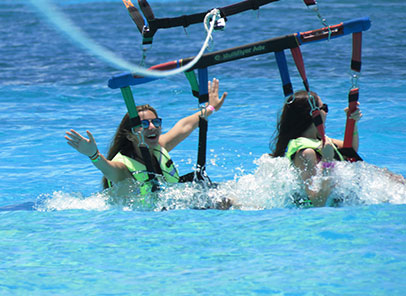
[139,171]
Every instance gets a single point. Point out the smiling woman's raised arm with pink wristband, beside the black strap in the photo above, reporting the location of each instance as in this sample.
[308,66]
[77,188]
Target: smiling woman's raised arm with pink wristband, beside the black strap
[184,127]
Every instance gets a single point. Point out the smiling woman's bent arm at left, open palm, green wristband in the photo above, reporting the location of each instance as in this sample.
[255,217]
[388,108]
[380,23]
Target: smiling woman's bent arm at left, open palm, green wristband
[113,170]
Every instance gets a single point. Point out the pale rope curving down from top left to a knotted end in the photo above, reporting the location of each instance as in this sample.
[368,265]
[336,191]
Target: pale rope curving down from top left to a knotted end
[66,26]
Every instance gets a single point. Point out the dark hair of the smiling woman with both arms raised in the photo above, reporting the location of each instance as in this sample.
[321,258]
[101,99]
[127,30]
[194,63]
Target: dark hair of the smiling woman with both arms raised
[120,142]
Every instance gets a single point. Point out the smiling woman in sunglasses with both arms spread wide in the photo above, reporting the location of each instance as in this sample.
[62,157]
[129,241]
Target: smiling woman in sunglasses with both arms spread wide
[125,160]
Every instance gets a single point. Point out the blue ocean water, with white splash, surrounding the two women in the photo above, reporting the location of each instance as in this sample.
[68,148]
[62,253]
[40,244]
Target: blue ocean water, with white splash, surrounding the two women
[75,242]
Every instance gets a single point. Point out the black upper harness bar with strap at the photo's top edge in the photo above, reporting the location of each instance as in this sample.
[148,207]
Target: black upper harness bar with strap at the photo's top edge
[153,24]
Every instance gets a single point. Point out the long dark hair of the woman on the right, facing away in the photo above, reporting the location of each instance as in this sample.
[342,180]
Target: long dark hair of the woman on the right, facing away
[294,120]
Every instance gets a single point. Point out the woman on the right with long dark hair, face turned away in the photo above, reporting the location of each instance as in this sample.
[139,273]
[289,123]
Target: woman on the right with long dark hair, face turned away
[298,139]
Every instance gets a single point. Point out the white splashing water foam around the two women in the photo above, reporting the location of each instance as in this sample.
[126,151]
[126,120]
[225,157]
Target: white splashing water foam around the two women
[273,184]
